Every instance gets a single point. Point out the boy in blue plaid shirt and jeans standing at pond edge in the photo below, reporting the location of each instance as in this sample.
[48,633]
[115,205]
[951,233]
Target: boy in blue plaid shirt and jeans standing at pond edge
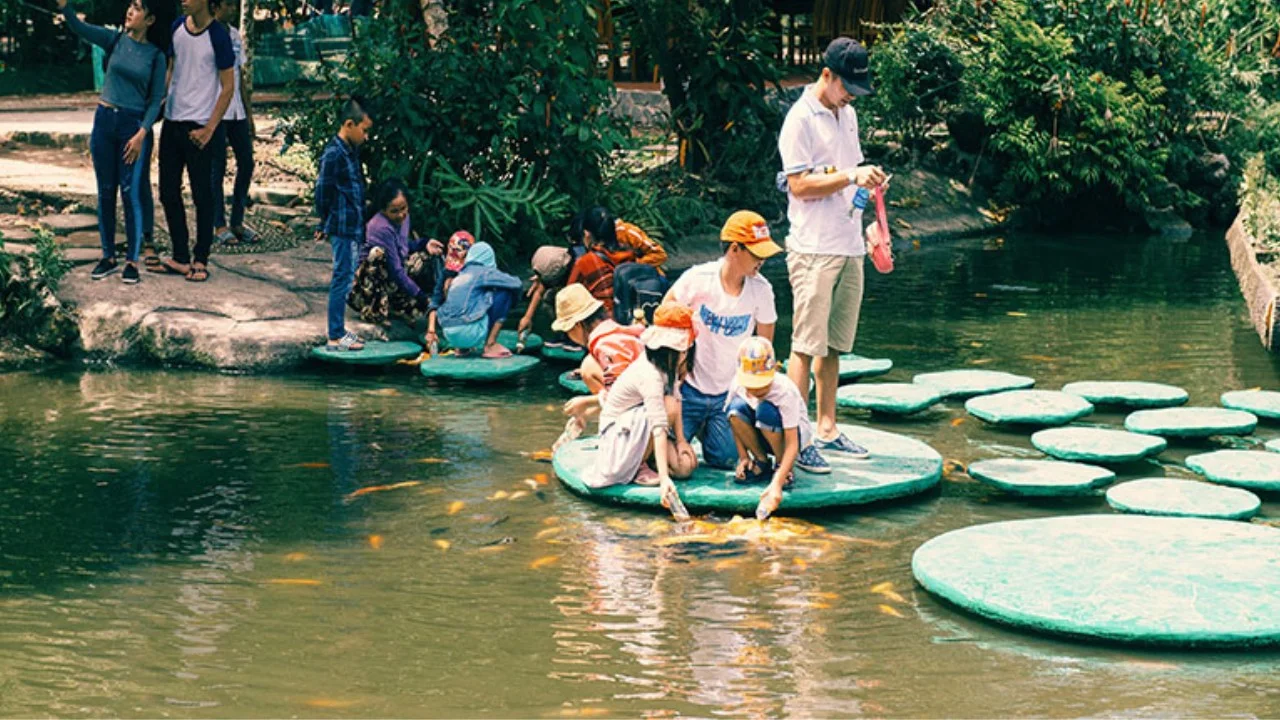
[341,206]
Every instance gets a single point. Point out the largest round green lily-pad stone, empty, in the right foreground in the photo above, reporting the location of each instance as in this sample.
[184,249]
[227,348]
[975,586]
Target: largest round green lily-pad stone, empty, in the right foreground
[1176,582]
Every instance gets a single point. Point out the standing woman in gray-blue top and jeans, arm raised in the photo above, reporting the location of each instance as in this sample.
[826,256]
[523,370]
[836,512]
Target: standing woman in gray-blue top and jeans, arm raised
[121,143]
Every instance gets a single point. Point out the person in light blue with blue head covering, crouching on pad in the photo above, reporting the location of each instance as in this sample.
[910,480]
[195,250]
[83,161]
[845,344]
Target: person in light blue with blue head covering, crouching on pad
[478,303]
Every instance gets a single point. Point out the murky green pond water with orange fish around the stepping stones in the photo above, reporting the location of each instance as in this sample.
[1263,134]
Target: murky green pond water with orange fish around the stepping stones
[186,545]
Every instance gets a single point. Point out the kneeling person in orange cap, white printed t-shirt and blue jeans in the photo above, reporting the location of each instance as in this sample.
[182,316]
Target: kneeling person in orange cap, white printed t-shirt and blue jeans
[732,302]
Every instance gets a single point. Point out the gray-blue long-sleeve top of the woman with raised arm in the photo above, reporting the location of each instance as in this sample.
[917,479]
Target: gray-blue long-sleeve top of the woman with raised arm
[135,75]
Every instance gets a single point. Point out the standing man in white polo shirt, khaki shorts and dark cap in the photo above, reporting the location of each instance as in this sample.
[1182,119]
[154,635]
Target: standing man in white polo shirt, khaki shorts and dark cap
[822,161]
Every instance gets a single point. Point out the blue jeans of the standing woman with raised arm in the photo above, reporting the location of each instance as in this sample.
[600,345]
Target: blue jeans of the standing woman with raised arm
[113,129]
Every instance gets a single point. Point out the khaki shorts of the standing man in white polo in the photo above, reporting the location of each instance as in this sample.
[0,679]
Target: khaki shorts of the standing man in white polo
[828,293]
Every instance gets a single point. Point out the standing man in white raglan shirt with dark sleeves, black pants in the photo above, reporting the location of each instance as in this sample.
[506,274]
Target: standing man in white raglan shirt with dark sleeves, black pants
[200,90]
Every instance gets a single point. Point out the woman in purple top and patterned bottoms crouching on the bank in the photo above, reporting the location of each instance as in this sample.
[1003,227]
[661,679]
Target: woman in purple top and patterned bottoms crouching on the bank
[399,279]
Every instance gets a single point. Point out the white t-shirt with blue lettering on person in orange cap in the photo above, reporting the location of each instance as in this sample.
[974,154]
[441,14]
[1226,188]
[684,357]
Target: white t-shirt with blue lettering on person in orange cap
[721,322]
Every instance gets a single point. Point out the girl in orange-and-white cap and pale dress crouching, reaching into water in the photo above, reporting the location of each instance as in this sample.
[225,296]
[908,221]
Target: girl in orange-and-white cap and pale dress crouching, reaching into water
[641,414]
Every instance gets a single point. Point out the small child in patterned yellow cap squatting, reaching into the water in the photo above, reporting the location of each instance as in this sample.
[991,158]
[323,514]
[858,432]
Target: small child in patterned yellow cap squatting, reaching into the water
[770,418]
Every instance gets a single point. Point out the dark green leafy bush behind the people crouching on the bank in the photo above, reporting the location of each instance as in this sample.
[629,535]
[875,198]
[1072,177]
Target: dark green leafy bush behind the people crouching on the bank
[493,129]
